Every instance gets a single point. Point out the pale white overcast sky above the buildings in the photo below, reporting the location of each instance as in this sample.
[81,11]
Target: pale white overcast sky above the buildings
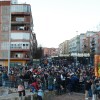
[58,20]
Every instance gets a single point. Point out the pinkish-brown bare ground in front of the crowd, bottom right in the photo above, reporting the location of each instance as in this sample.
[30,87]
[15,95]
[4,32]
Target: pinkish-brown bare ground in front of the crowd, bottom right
[74,96]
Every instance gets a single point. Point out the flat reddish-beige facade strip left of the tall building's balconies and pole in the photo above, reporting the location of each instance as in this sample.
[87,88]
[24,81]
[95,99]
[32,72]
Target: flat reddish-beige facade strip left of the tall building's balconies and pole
[5,16]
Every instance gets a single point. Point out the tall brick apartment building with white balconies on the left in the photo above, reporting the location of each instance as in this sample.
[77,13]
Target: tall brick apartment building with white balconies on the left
[17,40]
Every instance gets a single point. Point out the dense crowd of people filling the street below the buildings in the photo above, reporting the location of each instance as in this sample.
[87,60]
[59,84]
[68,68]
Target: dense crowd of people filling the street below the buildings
[59,78]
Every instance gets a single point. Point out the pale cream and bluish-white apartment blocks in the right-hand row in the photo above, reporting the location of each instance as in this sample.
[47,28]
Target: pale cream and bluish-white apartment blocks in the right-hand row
[72,46]
